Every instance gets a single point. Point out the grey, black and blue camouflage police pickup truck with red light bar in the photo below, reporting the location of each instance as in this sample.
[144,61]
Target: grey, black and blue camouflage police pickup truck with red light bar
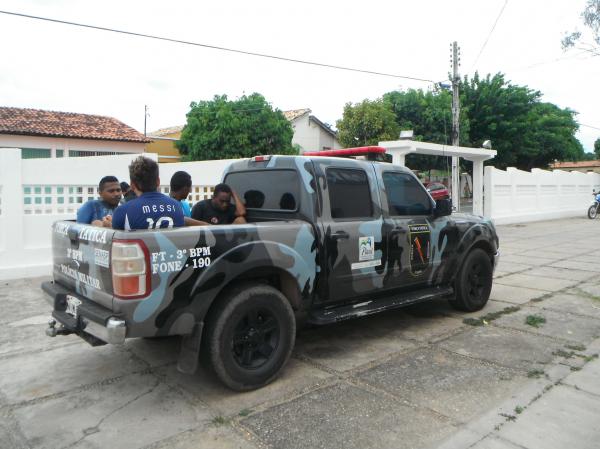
[327,239]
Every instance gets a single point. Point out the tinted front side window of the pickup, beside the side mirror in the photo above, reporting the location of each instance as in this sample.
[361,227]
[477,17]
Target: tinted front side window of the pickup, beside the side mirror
[405,195]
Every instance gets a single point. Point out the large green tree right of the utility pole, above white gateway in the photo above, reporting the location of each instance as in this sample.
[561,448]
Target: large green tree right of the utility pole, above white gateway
[526,132]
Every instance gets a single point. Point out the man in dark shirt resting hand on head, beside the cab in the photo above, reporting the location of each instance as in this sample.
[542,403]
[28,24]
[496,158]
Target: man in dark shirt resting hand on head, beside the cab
[218,209]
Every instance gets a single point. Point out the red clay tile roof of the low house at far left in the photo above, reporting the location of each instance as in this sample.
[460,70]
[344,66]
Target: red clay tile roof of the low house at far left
[35,122]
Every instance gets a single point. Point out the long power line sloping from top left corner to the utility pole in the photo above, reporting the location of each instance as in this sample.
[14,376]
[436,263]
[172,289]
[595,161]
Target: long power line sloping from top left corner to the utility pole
[215,47]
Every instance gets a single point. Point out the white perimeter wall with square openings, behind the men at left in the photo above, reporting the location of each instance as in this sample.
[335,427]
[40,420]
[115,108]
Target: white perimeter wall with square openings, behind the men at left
[34,193]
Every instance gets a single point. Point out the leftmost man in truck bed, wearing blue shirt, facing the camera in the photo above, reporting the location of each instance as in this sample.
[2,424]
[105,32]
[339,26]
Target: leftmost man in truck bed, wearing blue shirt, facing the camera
[98,212]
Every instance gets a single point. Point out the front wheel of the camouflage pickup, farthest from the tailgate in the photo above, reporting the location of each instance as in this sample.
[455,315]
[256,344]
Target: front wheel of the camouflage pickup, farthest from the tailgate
[473,283]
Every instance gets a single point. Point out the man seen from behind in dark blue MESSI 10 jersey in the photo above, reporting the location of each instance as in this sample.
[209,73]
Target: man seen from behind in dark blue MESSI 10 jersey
[151,209]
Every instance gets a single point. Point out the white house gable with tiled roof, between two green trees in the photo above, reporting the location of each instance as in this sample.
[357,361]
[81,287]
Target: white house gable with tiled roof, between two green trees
[310,133]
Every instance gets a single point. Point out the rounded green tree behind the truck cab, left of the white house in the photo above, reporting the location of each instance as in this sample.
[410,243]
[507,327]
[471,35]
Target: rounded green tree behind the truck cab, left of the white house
[226,129]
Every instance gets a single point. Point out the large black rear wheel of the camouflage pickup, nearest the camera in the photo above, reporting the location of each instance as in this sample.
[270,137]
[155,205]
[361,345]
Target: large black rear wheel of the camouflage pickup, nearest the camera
[251,334]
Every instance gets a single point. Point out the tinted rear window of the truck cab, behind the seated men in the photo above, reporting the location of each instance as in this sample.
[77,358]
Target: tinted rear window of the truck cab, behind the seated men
[266,189]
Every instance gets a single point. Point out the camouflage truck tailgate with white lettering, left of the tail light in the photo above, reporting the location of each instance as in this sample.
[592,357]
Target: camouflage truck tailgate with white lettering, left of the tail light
[81,260]
